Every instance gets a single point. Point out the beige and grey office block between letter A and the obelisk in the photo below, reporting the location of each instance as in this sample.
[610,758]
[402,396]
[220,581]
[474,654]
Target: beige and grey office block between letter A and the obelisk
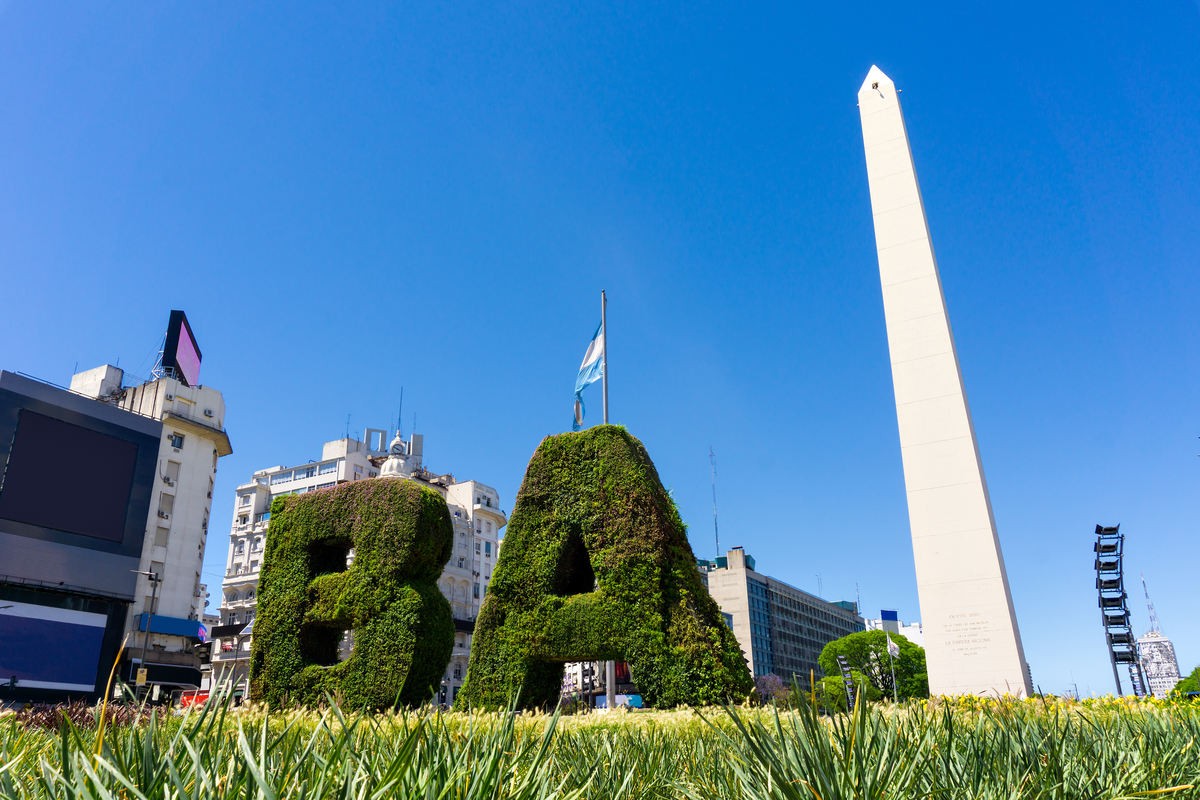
[782,629]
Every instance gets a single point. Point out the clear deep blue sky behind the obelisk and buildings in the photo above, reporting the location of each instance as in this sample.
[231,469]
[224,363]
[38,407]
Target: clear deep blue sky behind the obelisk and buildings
[431,197]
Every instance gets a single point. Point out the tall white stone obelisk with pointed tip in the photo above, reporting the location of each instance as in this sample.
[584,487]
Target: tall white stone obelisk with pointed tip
[973,645]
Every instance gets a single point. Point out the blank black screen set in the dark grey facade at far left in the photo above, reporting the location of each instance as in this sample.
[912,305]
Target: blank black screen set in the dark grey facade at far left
[99,470]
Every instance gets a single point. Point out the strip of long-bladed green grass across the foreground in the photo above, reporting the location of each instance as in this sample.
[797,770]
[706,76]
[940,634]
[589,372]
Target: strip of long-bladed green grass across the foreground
[968,749]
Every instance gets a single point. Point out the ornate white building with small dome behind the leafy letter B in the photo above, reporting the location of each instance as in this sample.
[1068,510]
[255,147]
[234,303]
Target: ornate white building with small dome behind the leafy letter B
[475,512]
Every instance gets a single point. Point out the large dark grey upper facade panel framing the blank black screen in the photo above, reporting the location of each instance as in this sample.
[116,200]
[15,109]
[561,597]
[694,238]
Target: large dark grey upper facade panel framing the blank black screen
[86,533]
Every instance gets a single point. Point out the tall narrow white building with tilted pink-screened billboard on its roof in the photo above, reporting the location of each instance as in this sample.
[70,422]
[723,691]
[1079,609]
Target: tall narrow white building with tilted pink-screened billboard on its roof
[194,438]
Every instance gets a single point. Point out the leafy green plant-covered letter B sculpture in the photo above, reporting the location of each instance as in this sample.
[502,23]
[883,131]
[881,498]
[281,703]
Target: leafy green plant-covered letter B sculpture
[401,537]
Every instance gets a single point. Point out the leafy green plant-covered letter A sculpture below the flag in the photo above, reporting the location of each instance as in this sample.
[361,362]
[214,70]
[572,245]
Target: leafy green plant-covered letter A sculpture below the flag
[596,566]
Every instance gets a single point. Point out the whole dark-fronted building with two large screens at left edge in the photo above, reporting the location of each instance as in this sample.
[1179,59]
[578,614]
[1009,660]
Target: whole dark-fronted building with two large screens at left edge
[69,551]
